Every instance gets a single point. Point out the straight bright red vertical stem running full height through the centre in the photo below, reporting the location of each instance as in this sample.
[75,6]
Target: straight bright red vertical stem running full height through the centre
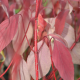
[35,38]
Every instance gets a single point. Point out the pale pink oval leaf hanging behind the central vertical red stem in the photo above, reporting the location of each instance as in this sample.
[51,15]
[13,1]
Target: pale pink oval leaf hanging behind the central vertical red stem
[44,61]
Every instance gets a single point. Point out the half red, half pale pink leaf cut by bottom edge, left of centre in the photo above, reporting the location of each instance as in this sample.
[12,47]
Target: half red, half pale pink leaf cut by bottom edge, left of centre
[20,70]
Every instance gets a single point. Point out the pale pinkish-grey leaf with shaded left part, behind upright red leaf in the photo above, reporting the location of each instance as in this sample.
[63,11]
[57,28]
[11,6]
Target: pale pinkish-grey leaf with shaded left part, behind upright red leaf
[68,34]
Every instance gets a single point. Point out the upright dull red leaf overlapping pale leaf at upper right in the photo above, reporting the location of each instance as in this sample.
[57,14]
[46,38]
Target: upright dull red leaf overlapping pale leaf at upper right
[60,21]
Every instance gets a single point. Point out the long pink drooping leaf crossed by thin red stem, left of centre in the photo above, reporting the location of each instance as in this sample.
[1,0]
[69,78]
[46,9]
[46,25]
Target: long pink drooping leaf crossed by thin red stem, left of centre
[22,27]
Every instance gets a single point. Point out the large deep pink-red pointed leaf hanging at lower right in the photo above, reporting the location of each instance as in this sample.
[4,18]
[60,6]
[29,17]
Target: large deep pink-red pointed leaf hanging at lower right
[63,61]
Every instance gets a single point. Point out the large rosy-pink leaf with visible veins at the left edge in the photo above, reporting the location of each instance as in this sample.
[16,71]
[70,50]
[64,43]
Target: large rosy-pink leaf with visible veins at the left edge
[7,31]
